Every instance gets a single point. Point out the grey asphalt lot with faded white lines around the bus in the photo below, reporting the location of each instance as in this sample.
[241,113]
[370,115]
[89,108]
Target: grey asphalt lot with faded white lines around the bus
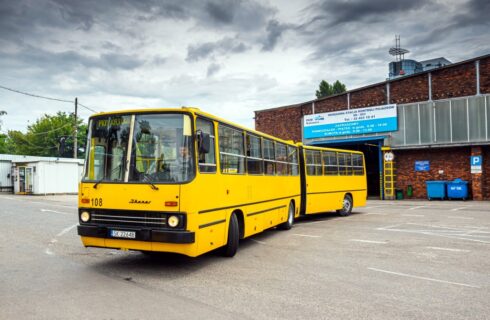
[388,260]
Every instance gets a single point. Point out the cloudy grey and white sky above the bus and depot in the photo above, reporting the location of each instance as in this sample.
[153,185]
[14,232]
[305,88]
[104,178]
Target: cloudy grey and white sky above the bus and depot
[227,57]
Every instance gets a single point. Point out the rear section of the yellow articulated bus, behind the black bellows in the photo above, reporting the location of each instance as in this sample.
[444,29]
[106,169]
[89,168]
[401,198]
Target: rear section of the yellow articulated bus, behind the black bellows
[331,179]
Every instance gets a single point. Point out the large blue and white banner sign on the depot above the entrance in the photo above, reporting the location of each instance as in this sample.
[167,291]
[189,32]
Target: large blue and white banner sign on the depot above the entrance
[351,122]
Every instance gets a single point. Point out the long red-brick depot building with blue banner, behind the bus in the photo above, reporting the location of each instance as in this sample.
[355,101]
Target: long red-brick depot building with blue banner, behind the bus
[441,119]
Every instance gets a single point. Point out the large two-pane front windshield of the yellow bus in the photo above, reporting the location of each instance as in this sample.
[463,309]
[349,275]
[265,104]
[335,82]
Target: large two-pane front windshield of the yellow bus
[161,149]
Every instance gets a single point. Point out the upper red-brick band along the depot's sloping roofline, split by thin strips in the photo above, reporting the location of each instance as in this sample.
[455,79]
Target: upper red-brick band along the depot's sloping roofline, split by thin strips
[453,81]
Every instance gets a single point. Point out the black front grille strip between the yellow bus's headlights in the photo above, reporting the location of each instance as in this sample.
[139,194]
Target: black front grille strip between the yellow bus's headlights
[154,220]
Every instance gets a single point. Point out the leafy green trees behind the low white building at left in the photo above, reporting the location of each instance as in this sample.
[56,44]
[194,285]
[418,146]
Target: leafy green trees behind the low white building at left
[49,136]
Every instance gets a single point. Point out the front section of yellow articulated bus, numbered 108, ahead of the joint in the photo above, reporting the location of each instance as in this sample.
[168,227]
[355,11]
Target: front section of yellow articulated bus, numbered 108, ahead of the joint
[183,181]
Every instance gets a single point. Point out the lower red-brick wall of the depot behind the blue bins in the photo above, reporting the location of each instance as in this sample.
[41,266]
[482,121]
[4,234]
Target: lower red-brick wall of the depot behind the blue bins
[455,162]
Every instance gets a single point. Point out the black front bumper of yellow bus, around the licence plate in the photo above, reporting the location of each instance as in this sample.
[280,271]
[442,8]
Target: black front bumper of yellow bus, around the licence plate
[166,236]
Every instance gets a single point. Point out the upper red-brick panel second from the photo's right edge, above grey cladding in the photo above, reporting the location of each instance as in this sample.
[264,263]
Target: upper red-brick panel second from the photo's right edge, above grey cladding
[458,81]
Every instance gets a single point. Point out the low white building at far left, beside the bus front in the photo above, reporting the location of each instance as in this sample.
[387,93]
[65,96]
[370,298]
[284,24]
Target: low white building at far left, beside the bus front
[39,175]
